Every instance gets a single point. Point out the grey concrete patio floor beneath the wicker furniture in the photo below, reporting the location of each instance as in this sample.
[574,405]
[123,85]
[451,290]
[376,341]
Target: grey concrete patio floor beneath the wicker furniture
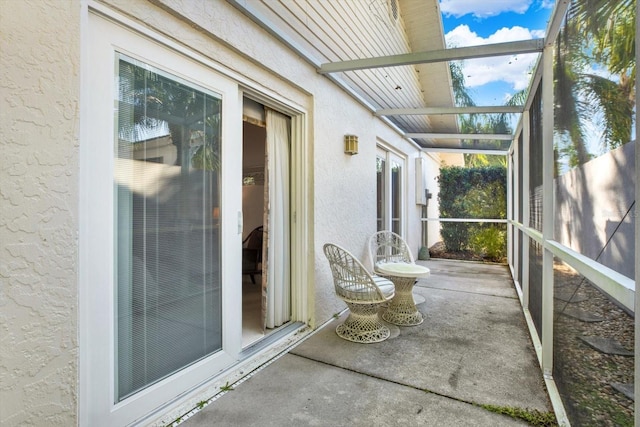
[472,348]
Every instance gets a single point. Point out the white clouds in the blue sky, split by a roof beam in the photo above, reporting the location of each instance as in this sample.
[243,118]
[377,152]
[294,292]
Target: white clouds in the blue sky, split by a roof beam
[513,69]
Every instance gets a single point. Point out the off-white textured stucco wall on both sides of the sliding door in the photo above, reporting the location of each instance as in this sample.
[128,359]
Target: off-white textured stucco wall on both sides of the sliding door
[39,176]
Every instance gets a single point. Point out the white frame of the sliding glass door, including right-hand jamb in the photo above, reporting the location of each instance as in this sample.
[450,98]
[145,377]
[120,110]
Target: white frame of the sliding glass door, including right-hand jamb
[106,32]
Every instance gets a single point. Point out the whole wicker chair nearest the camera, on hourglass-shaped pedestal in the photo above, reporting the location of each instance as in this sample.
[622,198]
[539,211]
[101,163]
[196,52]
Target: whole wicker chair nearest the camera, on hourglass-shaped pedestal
[362,292]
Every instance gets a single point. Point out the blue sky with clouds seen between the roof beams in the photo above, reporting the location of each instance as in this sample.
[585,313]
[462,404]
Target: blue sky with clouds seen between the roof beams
[477,22]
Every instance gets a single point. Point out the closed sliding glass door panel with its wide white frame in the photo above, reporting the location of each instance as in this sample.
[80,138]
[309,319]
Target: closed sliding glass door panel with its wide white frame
[161,175]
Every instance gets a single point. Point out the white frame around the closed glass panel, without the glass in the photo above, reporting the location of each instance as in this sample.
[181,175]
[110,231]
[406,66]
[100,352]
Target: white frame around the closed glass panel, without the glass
[99,405]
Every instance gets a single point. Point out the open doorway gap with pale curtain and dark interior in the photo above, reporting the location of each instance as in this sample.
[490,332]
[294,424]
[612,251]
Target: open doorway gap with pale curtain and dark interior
[266,227]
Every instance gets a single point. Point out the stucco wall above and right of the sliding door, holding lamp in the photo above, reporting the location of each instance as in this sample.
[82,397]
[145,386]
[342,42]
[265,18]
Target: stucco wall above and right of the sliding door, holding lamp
[344,186]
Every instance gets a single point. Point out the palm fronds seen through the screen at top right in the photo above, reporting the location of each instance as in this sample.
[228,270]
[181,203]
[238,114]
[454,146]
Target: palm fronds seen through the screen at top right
[600,32]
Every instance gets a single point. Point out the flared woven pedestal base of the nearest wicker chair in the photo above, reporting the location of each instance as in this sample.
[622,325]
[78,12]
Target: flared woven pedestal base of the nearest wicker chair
[363,325]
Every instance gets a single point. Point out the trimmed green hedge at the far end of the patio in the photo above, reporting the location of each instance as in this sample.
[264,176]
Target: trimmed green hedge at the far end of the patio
[478,192]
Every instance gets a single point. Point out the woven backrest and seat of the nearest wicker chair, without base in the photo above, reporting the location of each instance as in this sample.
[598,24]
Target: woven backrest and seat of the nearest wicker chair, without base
[351,279]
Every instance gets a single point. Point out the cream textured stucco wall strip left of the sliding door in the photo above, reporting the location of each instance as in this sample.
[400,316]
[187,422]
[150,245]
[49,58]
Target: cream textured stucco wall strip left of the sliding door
[39,77]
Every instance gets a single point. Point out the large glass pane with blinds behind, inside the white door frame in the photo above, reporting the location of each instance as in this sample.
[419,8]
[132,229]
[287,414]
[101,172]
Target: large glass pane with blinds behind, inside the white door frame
[168,312]
